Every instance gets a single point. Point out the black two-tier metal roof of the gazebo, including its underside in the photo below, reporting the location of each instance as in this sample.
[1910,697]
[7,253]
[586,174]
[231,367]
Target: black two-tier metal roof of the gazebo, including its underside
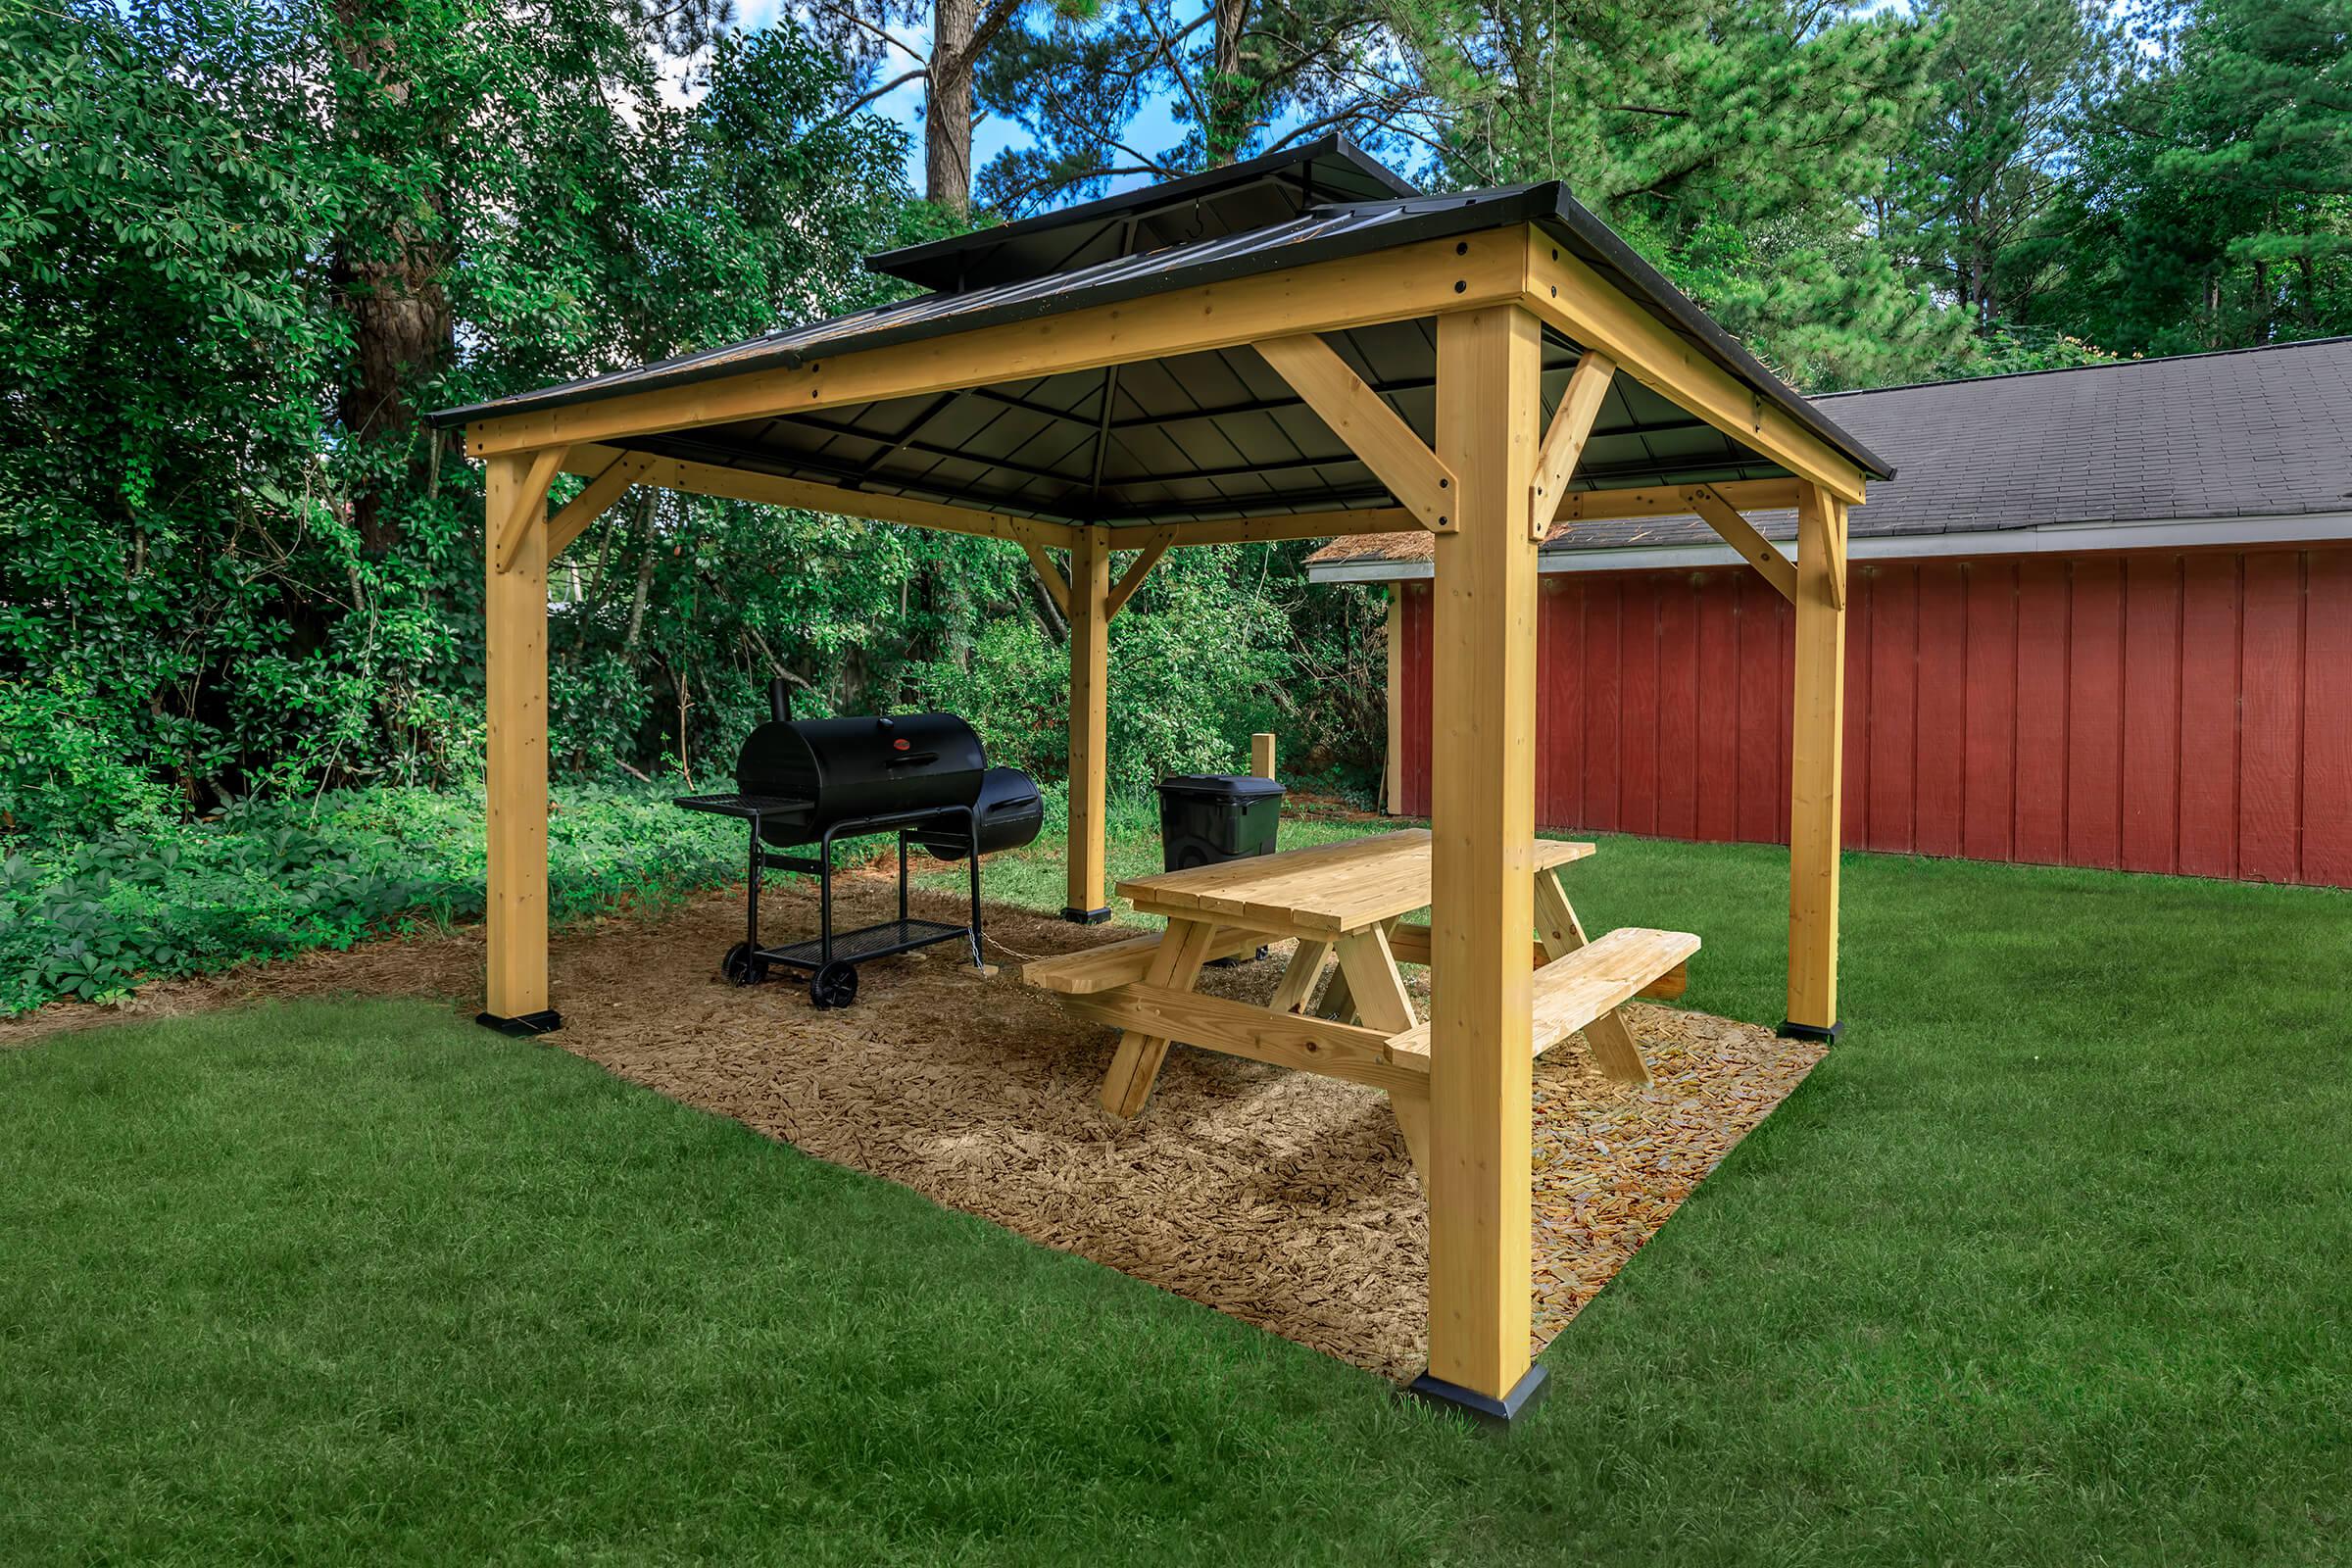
[1191,436]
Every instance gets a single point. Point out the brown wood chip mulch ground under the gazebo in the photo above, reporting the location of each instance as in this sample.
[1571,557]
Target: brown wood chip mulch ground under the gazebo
[1281,1198]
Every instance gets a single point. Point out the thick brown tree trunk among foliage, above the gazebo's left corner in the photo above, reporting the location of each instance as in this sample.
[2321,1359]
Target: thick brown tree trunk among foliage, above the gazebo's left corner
[389,272]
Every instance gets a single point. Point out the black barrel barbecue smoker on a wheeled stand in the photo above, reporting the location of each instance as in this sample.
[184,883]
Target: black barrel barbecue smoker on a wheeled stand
[815,782]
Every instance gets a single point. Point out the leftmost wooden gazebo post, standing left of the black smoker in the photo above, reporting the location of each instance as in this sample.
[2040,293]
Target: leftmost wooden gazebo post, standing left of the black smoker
[516,709]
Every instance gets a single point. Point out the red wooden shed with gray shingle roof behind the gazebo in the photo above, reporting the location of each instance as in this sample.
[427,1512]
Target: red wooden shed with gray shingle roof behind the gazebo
[2102,617]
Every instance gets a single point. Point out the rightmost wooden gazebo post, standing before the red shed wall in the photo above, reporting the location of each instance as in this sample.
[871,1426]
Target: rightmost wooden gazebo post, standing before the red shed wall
[1817,768]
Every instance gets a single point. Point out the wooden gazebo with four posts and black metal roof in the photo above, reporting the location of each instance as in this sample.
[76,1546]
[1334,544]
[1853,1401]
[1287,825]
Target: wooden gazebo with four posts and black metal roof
[1299,347]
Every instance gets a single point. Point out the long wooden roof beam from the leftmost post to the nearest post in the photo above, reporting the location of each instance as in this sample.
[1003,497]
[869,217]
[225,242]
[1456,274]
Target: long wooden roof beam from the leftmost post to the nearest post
[1403,283]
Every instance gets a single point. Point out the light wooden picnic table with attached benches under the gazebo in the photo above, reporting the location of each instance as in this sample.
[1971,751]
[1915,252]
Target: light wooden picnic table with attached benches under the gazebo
[1344,904]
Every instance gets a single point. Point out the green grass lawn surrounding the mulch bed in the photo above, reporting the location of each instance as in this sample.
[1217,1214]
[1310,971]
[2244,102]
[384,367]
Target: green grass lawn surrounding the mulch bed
[2047,1264]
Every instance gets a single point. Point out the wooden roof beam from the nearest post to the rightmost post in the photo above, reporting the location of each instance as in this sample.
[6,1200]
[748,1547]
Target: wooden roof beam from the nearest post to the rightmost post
[1575,300]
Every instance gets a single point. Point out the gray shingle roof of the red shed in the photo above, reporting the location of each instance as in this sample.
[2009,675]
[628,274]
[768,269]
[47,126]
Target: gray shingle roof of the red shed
[2240,434]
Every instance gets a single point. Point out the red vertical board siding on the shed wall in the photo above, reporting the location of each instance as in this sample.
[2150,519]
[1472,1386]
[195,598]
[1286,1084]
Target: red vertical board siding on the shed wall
[2167,713]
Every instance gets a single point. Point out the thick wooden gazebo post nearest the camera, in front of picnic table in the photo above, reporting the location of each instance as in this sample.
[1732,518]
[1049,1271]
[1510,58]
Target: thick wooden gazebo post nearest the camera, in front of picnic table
[1483,866]
